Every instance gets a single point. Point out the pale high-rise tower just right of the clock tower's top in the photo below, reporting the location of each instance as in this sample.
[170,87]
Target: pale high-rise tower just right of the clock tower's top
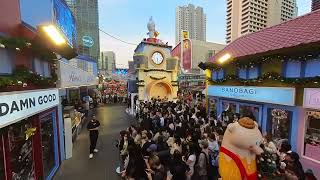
[192,19]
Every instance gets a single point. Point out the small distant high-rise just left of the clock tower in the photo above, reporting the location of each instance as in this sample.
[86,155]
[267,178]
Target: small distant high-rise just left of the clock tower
[107,62]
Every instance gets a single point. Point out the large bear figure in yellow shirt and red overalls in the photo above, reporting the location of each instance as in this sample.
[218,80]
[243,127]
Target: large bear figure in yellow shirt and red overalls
[238,160]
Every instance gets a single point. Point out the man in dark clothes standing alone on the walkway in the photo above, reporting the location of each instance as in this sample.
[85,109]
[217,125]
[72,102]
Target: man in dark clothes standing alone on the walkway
[93,127]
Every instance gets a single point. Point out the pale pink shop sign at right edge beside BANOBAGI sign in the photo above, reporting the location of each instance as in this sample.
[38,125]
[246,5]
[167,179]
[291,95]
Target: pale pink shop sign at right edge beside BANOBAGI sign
[311,98]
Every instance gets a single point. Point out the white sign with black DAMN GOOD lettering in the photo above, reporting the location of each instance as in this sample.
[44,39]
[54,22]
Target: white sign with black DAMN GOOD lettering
[20,105]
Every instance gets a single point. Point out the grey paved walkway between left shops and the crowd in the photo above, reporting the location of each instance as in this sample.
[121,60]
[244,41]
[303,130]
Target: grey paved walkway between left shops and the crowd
[102,167]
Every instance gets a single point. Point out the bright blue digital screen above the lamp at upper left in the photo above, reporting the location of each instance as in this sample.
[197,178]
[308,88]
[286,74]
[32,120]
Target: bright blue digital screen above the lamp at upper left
[65,21]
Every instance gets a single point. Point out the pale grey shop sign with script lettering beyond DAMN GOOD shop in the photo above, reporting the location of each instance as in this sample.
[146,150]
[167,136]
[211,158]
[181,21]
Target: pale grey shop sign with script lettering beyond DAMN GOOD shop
[71,76]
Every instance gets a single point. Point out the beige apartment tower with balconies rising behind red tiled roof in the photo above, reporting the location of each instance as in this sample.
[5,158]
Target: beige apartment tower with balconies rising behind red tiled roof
[247,16]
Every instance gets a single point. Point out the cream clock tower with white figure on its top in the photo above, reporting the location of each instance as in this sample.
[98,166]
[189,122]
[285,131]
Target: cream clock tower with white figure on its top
[156,69]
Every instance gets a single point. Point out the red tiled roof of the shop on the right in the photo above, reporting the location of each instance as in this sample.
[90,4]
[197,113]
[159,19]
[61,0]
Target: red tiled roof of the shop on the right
[295,33]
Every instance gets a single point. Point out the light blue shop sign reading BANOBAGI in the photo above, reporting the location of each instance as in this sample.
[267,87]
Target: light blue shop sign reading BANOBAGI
[272,95]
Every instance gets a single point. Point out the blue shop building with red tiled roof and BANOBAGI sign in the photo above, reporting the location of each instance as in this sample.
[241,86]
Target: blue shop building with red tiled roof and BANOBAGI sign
[275,83]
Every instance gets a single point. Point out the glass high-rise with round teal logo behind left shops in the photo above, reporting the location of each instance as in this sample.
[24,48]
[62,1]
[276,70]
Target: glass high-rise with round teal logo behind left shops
[87,18]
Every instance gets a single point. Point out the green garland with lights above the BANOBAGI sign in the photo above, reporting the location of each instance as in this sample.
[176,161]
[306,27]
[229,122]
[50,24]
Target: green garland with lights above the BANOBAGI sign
[271,76]
